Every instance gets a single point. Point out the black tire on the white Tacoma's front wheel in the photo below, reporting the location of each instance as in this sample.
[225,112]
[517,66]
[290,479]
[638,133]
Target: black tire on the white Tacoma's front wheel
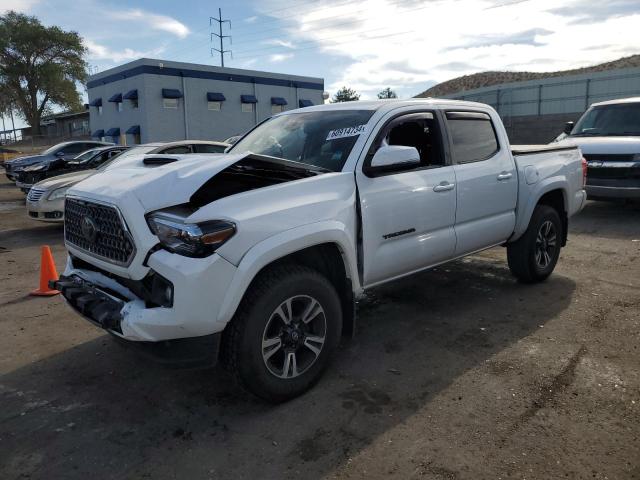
[242,348]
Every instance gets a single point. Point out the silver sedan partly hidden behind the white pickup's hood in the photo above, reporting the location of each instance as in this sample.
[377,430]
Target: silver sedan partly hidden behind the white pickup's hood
[45,201]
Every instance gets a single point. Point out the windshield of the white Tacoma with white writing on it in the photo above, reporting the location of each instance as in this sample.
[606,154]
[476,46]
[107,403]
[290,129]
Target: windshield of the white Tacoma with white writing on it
[322,138]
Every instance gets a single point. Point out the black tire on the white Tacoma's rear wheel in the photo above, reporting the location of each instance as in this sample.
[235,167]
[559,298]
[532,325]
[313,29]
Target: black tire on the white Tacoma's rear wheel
[524,256]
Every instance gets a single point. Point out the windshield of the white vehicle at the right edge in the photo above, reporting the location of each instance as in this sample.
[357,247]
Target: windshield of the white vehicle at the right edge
[609,120]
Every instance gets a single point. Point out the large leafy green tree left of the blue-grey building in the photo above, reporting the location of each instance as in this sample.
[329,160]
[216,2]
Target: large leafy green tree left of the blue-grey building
[39,66]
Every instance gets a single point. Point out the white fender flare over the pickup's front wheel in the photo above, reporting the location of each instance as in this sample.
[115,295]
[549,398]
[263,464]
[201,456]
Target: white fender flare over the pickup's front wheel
[281,245]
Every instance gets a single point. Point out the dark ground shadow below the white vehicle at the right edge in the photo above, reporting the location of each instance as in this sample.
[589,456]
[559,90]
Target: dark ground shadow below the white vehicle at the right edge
[608,219]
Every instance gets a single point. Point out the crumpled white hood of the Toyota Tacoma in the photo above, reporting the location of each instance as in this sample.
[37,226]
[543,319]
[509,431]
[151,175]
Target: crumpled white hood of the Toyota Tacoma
[179,180]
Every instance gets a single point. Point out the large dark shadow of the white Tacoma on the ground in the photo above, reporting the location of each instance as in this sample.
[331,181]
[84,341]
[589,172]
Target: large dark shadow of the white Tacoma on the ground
[99,411]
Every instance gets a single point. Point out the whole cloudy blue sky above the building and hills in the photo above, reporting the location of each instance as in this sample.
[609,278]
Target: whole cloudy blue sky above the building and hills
[368,45]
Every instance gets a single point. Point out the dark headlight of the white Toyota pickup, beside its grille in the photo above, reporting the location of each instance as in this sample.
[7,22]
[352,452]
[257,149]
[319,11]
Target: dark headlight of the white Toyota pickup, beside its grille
[190,239]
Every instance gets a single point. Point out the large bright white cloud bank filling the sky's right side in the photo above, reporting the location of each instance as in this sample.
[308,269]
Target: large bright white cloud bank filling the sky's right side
[434,41]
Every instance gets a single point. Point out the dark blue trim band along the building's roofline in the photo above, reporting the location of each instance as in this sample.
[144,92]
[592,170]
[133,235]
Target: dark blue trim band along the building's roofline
[190,73]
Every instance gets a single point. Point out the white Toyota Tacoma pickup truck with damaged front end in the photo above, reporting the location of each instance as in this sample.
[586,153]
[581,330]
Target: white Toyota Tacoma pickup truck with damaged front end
[257,257]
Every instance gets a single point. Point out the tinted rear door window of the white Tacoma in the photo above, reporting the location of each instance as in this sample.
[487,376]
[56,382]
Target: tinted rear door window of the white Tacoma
[473,136]
